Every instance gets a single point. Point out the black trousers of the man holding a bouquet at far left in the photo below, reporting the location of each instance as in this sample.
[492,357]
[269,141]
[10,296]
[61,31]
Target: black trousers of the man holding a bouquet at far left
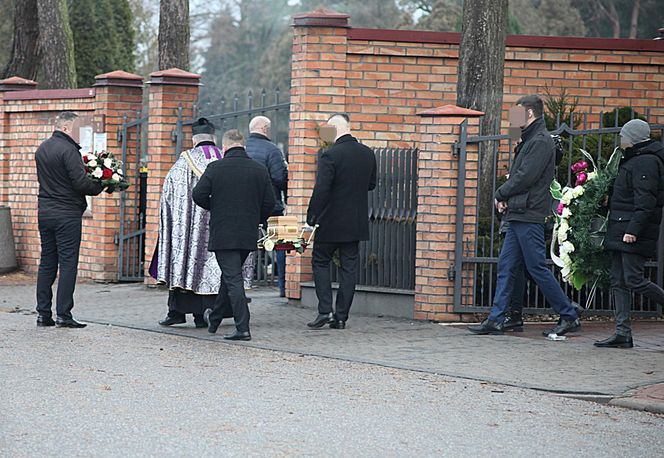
[60,245]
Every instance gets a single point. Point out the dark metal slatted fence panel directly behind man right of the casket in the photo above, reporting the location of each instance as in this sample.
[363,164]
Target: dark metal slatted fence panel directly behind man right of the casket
[387,259]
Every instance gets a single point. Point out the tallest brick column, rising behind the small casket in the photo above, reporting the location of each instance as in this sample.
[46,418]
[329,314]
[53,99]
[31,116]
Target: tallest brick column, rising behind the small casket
[318,89]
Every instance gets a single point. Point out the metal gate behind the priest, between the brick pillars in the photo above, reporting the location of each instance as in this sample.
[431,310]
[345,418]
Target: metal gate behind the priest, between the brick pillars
[236,114]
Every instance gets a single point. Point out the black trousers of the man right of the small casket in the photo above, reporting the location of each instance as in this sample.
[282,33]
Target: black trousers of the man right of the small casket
[348,256]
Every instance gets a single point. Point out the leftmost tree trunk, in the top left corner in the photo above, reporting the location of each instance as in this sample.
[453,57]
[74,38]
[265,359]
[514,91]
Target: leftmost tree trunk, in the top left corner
[24,60]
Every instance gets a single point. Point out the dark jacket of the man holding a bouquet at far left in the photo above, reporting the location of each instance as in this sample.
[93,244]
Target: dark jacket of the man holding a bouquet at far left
[63,180]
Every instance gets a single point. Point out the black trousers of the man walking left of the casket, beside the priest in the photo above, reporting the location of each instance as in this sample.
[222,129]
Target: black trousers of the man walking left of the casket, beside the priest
[231,296]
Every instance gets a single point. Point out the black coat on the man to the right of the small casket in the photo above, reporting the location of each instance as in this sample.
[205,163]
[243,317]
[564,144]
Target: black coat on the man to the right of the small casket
[339,203]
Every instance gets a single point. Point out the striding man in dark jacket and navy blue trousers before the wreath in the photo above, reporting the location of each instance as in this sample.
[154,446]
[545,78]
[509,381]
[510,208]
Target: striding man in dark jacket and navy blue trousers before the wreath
[526,199]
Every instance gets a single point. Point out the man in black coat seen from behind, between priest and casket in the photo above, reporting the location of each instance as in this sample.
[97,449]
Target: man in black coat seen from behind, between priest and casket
[238,192]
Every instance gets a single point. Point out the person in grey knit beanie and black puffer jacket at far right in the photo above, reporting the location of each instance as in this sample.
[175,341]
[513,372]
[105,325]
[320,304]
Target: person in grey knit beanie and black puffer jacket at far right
[635,213]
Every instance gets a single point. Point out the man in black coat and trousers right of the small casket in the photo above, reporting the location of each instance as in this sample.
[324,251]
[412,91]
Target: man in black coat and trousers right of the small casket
[339,205]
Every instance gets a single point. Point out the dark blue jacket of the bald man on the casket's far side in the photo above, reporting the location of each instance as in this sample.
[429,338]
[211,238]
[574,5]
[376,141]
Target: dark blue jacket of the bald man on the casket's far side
[262,150]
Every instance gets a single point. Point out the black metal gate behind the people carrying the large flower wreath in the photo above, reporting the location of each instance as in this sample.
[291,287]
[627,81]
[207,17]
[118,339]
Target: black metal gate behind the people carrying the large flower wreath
[476,251]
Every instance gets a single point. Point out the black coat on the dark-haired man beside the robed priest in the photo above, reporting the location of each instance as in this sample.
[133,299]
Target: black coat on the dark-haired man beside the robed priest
[238,192]
